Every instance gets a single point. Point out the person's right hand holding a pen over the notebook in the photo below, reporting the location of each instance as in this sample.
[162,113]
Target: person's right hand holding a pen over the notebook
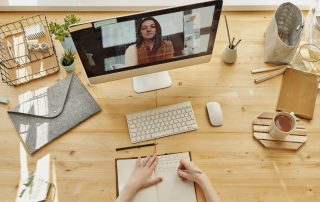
[194,177]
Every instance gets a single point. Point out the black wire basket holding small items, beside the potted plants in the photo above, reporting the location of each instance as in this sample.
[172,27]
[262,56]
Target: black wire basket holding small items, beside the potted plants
[20,62]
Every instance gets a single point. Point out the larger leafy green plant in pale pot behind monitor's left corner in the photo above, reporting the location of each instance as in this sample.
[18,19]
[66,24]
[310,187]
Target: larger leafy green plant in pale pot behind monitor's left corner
[61,31]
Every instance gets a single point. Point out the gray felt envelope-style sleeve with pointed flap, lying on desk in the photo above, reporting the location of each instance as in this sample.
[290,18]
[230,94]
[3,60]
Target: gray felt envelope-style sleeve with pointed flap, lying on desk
[47,113]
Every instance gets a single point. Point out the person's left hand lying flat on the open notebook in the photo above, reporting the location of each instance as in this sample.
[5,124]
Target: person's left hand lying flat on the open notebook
[141,176]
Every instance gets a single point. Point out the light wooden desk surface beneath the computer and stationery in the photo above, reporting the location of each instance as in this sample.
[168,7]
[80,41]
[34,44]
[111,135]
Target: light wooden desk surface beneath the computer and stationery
[238,166]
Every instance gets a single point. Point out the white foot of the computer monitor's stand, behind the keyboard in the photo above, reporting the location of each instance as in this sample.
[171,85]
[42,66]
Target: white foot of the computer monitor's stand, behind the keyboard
[151,82]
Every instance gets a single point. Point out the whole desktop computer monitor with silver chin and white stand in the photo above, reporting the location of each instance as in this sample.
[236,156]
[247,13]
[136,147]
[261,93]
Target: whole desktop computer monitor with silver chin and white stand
[145,45]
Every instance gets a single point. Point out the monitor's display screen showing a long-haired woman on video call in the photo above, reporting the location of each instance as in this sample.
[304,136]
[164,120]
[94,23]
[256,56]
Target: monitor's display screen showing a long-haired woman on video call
[140,40]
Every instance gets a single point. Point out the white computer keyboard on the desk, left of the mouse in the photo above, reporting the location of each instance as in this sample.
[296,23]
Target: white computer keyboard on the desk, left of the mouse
[160,122]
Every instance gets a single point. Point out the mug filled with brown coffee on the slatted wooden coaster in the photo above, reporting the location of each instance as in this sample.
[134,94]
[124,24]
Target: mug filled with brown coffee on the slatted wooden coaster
[282,124]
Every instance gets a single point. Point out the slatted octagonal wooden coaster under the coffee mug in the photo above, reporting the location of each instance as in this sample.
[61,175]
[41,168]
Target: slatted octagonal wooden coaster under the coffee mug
[260,128]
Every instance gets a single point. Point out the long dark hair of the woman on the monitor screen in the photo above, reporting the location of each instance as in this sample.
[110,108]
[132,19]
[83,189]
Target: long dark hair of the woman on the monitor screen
[157,38]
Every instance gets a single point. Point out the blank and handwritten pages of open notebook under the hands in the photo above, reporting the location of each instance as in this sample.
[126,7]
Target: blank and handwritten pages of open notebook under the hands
[172,188]
